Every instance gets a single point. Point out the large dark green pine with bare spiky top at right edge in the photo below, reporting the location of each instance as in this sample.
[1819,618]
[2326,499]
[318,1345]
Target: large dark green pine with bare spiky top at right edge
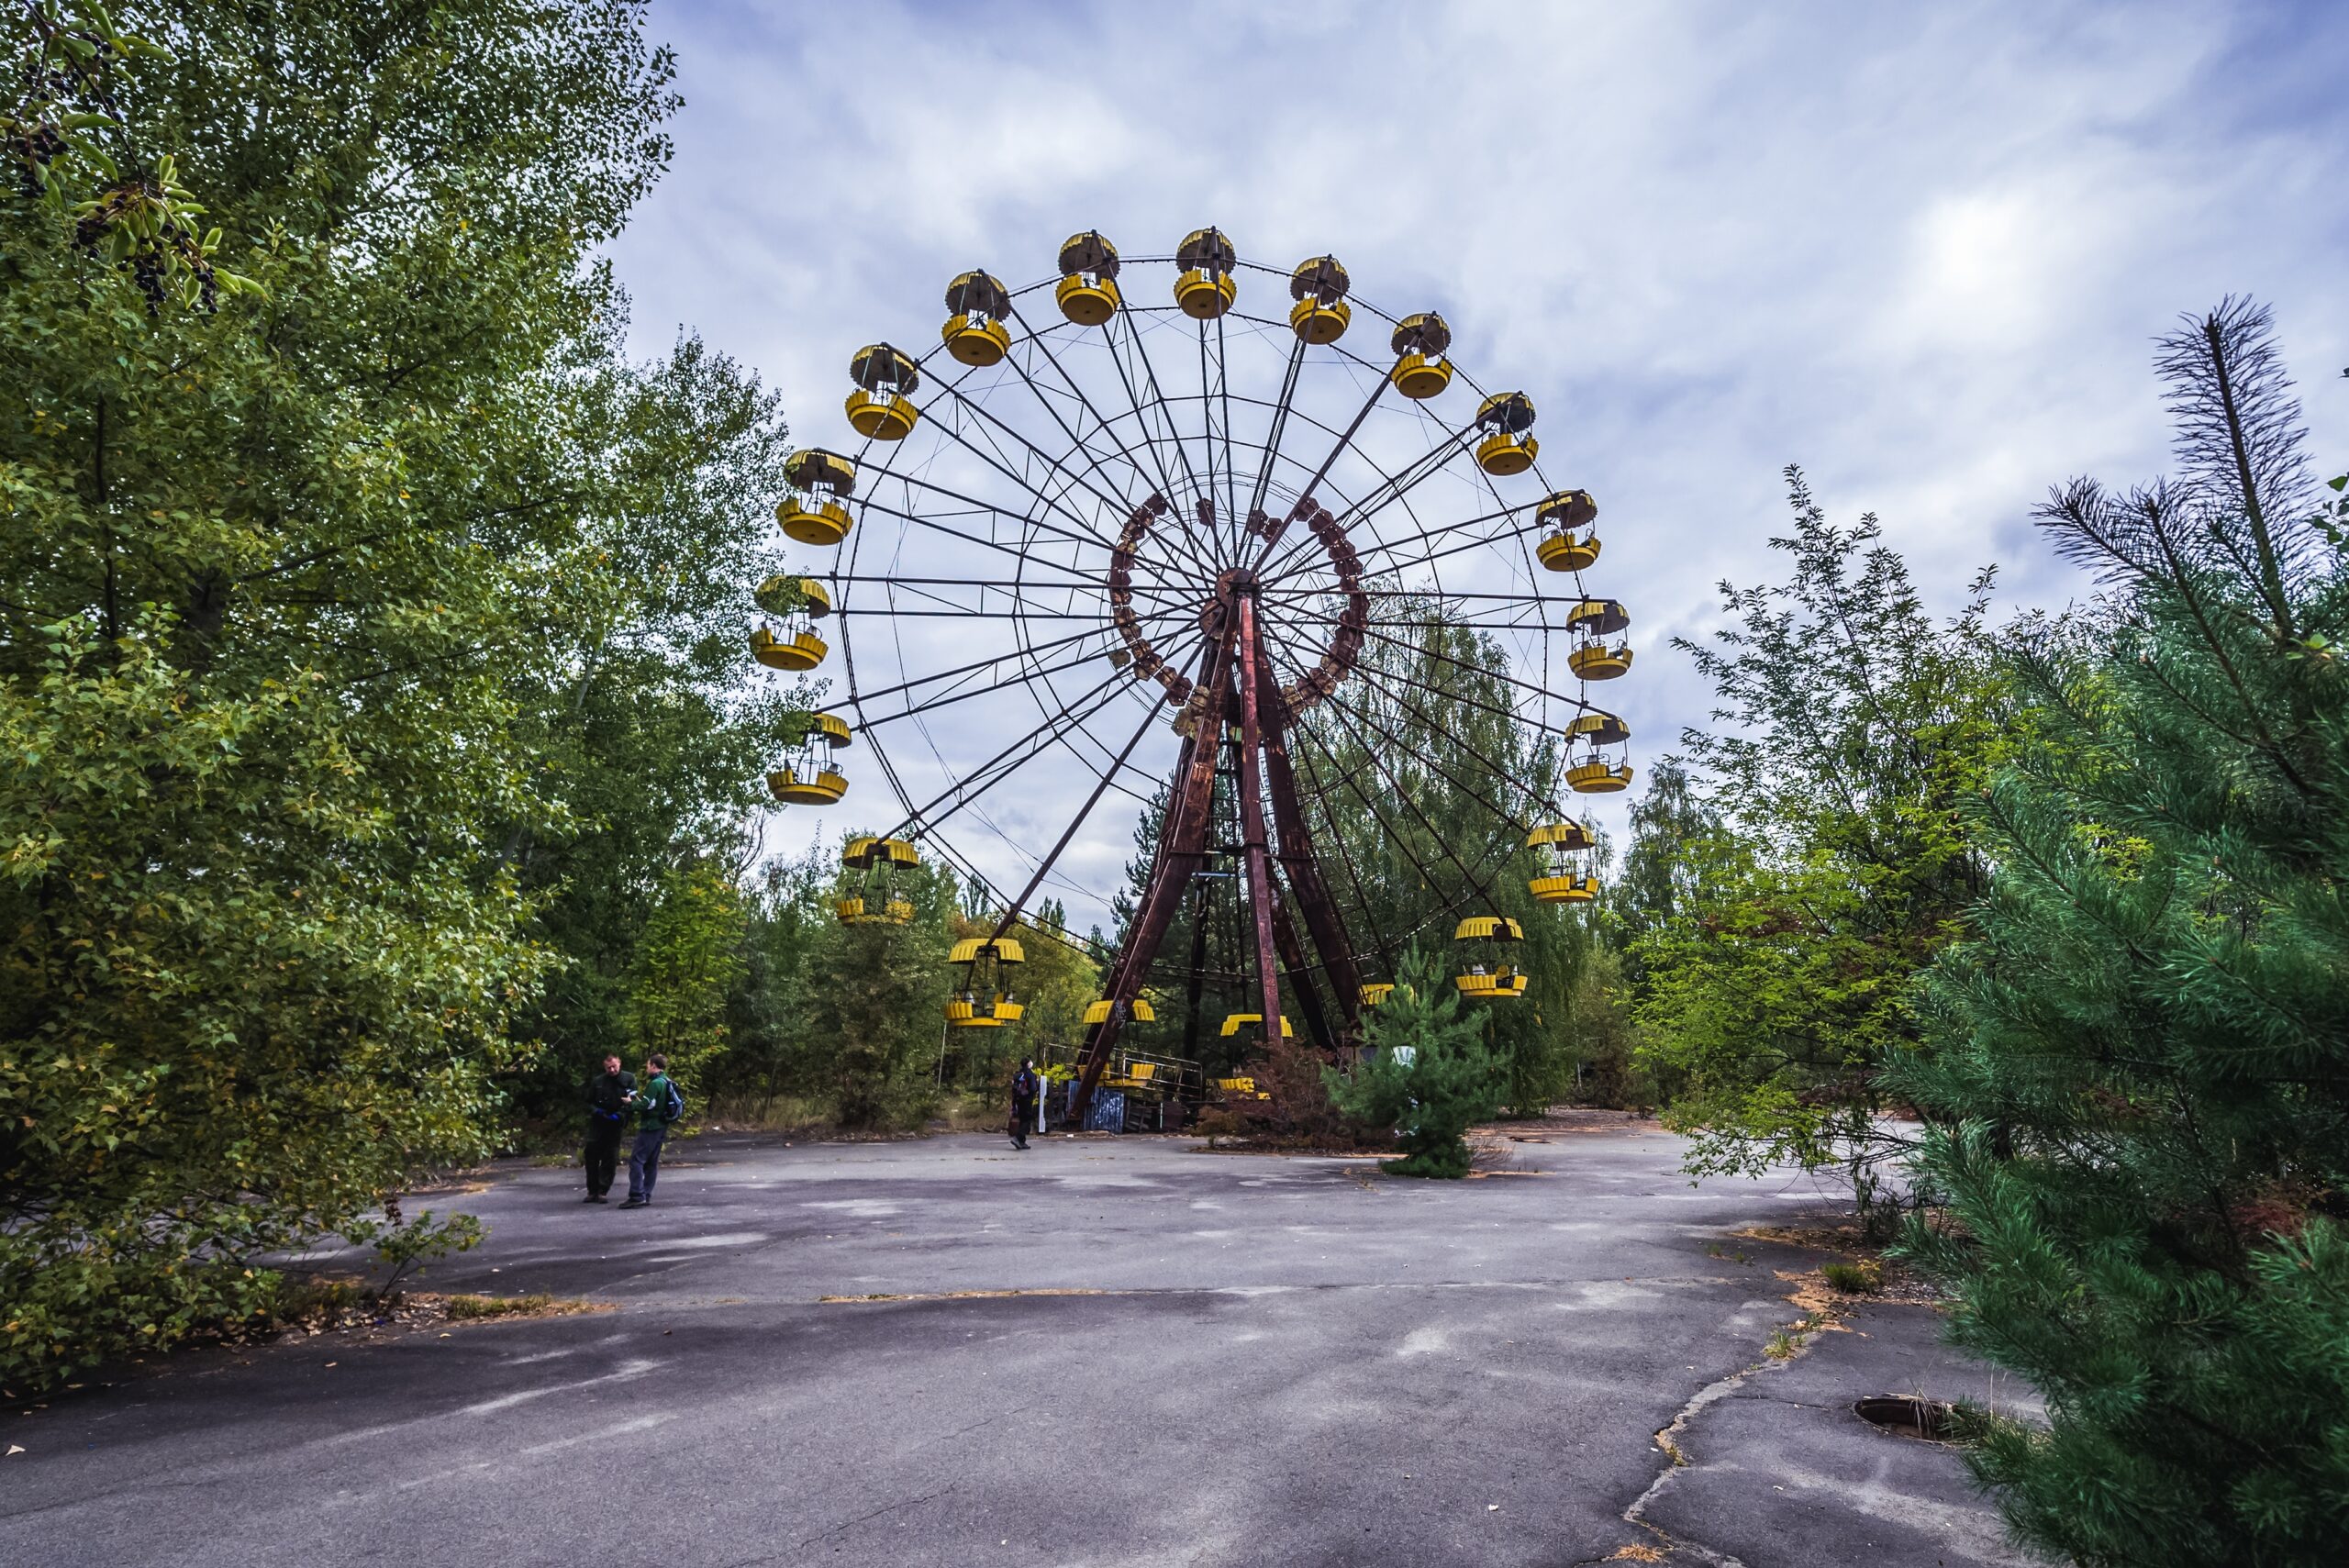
[2141,1088]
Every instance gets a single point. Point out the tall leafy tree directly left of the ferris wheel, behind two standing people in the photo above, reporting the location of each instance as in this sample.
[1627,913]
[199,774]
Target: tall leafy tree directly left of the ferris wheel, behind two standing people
[657,729]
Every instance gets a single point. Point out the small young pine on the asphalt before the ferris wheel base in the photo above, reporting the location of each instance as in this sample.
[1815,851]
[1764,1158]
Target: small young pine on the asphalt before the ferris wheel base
[1425,1072]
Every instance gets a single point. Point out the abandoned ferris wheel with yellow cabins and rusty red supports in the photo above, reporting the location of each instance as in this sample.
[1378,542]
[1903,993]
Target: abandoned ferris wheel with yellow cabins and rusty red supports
[1152,529]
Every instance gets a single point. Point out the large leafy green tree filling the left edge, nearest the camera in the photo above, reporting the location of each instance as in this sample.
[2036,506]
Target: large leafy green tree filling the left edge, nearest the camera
[271,590]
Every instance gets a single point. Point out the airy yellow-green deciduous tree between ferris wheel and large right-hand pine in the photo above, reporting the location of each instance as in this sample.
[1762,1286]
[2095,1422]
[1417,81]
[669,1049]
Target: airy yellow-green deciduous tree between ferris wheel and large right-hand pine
[1838,867]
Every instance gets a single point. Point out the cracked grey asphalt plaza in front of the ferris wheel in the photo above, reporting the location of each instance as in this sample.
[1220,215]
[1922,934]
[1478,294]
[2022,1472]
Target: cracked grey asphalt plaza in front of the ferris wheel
[1101,1353]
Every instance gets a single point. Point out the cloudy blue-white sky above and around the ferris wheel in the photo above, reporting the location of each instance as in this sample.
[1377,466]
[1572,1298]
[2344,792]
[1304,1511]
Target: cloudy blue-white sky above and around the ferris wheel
[1916,250]
